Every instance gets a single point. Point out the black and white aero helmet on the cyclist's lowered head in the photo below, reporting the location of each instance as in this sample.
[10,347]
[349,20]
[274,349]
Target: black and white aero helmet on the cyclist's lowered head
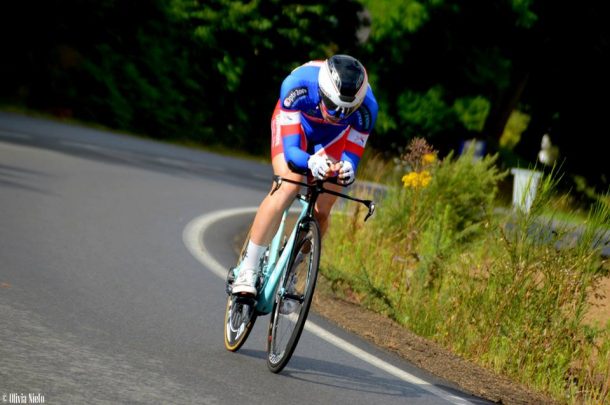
[343,83]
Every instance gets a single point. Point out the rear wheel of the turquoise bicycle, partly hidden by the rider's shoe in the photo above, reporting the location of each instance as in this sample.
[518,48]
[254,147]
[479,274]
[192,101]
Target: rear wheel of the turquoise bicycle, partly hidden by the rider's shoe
[240,313]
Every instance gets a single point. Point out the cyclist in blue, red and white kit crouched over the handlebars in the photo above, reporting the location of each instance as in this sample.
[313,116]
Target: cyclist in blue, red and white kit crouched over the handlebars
[321,122]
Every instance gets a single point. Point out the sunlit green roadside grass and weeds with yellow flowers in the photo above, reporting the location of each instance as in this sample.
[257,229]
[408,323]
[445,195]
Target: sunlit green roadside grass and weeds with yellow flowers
[492,286]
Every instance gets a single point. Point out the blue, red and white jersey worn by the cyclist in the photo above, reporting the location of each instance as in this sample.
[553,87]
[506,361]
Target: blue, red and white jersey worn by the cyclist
[301,129]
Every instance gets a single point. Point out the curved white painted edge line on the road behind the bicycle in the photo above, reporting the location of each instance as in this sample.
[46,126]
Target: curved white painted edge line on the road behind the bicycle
[192,237]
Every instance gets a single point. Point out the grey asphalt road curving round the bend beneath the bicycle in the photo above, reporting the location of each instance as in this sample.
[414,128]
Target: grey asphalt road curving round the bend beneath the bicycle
[102,299]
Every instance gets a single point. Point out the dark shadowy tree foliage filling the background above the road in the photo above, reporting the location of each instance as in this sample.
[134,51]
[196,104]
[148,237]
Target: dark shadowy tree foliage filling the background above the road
[210,71]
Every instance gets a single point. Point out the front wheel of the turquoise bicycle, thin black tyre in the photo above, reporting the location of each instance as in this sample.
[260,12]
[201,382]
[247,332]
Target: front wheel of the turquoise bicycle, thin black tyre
[293,297]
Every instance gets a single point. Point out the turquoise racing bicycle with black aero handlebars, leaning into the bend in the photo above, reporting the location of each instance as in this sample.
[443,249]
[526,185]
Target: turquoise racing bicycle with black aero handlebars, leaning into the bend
[287,278]
